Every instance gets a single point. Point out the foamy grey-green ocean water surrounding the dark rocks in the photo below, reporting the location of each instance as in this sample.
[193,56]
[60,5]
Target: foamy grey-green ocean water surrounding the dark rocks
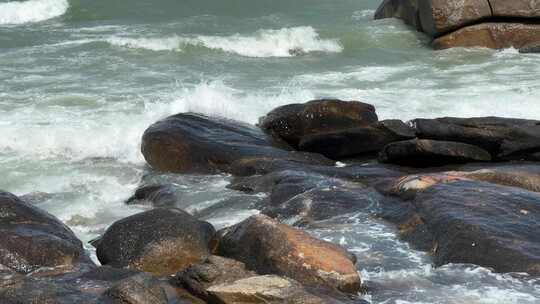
[80,80]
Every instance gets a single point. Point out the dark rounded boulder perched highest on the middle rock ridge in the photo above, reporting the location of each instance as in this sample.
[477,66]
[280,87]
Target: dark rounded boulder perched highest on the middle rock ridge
[294,121]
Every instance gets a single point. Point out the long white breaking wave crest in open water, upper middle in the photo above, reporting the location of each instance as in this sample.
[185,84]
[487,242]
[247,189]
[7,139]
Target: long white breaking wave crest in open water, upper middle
[285,42]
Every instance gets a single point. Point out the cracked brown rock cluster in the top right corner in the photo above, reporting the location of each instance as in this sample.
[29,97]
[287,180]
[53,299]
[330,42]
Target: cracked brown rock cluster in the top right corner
[484,23]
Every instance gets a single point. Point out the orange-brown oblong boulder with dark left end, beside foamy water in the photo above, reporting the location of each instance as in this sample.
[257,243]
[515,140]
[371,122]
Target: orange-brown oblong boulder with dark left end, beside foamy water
[269,247]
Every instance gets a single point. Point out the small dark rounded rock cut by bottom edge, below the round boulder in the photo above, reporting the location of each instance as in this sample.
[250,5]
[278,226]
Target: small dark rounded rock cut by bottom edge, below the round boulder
[138,289]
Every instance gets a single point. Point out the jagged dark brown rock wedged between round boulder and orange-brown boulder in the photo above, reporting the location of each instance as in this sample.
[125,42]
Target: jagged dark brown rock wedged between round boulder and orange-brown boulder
[213,271]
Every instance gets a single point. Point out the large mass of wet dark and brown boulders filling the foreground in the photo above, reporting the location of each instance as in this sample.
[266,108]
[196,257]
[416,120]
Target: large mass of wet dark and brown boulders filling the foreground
[466,190]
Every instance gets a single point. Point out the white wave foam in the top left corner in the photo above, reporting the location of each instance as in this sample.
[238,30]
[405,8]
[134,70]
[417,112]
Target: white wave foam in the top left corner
[19,12]
